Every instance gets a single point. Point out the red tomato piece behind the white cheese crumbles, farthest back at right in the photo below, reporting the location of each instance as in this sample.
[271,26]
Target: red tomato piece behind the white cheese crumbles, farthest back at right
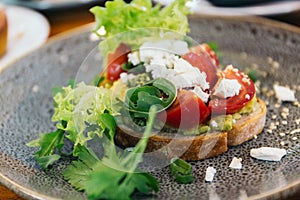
[204,64]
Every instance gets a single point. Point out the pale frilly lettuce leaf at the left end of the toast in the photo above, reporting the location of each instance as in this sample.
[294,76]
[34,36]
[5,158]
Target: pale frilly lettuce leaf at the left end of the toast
[80,108]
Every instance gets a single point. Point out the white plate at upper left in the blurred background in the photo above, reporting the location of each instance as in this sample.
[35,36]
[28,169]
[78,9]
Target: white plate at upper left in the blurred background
[27,30]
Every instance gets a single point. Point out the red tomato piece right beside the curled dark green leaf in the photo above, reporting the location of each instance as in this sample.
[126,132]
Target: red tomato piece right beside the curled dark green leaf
[187,111]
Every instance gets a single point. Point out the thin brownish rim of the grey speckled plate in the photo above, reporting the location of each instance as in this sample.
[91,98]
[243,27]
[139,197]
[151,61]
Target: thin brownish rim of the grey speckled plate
[28,193]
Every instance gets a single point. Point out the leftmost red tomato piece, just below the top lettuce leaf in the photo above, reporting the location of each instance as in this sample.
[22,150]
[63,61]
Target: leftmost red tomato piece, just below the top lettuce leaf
[115,61]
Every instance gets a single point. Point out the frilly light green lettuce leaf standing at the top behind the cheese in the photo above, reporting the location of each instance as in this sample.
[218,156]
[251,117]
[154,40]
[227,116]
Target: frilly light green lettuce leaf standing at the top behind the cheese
[130,23]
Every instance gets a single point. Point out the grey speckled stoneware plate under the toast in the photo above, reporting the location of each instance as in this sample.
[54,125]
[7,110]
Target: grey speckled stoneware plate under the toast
[272,48]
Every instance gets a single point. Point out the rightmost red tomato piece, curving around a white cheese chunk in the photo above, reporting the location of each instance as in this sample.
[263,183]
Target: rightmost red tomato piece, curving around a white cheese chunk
[233,104]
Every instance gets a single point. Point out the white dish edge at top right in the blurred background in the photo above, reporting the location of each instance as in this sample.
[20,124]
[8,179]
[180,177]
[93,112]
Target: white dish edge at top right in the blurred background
[262,9]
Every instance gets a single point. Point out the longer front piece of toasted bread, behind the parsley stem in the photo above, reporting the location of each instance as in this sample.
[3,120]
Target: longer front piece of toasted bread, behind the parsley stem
[186,147]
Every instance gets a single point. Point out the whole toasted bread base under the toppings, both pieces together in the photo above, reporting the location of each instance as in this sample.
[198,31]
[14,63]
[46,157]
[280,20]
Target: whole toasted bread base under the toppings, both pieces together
[202,146]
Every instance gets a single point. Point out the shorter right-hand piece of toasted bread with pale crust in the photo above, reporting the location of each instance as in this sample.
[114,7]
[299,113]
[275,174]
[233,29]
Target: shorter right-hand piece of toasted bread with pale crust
[248,126]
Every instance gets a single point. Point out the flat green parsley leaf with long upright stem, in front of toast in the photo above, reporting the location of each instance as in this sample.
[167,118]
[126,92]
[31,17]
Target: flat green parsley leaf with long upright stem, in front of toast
[115,175]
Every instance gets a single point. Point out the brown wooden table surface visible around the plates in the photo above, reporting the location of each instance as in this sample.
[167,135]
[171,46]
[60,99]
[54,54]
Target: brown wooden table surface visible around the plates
[61,21]
